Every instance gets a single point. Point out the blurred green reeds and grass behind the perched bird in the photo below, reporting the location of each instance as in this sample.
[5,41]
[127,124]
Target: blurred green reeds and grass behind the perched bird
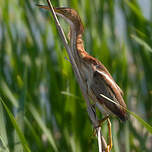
[38,87]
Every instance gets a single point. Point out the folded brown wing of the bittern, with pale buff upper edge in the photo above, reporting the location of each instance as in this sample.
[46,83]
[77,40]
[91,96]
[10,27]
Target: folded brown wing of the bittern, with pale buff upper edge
[103,84]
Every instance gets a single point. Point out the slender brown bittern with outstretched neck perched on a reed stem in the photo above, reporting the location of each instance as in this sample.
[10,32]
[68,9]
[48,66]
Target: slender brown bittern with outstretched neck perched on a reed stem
[95,76]
